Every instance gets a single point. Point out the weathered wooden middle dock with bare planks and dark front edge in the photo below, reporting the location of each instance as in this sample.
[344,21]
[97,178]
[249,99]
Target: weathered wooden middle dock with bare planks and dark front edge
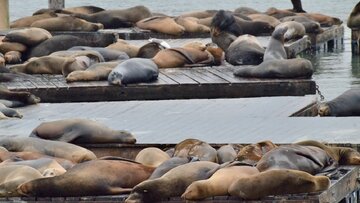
[177,83]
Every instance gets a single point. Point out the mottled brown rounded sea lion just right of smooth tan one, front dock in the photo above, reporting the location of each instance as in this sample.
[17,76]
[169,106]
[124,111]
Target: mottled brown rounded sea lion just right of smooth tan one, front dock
[196,148]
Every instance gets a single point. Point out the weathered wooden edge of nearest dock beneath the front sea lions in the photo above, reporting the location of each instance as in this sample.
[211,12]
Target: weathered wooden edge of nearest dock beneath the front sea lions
[340,187]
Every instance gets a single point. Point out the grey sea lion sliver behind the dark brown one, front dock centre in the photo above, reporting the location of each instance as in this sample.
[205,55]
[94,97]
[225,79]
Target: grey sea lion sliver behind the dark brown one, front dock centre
[170,164]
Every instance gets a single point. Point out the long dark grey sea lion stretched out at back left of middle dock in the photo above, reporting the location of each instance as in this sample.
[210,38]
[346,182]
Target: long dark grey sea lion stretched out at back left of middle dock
[64,42]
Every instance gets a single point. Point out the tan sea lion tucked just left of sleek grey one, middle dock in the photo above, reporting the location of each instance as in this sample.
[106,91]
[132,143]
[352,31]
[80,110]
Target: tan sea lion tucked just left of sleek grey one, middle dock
[98,71]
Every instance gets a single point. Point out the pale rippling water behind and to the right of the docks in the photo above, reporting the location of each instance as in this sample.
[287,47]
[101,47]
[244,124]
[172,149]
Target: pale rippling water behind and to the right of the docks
[336,71]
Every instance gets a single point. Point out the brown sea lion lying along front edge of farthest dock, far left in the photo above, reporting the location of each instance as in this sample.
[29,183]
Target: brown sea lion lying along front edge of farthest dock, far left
[66,23]
